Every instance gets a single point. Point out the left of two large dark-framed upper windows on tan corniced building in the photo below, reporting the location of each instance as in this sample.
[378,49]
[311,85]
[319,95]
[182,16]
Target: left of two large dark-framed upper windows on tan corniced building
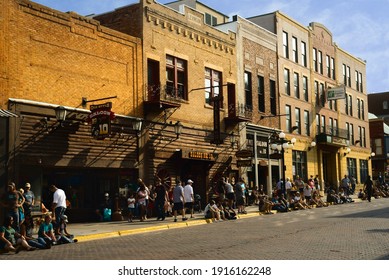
[176,77]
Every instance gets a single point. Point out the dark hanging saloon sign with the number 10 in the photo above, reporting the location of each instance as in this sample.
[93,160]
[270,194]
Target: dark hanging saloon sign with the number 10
[100,118]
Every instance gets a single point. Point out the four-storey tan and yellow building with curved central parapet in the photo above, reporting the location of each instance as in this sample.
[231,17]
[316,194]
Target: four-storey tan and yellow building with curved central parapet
[310,64]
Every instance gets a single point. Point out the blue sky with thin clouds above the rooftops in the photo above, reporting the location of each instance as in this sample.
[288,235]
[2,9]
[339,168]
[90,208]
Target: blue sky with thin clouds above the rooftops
[359,27]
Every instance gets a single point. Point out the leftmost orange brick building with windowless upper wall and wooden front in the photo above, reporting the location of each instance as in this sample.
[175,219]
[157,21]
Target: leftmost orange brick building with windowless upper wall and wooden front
[51,59]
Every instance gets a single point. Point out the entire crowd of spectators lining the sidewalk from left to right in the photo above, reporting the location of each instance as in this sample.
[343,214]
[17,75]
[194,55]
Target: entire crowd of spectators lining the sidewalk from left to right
[230,199]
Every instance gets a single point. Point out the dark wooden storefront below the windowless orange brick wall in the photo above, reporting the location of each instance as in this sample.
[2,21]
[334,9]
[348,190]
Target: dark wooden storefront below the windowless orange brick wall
[45,150]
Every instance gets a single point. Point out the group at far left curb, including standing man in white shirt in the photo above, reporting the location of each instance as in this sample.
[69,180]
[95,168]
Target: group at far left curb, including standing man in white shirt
[16,233]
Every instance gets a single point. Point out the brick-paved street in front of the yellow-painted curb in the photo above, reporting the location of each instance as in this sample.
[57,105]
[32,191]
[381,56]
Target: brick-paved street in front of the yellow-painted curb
[356,231]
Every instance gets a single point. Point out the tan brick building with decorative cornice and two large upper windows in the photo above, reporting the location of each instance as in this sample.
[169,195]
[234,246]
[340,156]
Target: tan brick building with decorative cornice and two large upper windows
[187,63]
